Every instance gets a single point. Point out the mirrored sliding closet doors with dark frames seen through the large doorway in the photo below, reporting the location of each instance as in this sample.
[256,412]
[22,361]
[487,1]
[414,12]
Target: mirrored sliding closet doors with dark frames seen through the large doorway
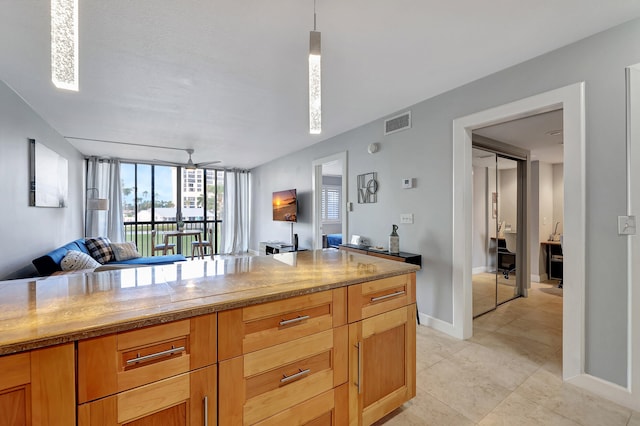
[499,221]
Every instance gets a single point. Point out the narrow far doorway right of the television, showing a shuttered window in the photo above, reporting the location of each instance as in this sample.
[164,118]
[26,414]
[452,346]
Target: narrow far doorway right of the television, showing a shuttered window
[329,183]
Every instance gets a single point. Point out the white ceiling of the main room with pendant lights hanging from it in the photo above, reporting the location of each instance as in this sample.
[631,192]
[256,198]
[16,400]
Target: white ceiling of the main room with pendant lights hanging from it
[229,77]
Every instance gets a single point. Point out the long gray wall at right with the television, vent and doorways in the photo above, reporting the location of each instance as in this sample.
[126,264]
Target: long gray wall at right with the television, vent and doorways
[425,152]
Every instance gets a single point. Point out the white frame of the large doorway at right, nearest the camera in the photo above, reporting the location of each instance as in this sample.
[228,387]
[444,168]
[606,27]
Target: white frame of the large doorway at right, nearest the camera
[571,100]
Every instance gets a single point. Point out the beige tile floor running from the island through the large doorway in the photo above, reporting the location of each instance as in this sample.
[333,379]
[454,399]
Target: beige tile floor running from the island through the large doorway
[509,373]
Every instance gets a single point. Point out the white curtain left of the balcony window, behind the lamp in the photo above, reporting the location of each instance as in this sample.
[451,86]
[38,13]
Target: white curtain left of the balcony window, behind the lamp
[104,176]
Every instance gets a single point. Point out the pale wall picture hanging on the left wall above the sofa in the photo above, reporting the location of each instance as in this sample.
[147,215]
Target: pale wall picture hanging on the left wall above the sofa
[48,177]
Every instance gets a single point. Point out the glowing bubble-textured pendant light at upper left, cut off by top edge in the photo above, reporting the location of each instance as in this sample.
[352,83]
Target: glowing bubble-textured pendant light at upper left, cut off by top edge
[64,44]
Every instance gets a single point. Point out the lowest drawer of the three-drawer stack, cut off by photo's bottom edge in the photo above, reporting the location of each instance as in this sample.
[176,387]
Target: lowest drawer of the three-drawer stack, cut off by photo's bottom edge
[330,408]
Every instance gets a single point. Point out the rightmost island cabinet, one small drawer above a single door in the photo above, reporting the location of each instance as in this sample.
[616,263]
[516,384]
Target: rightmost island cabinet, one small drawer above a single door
[382,347]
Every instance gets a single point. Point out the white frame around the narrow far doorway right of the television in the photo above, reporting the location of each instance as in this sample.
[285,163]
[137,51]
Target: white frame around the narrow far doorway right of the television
[316,185]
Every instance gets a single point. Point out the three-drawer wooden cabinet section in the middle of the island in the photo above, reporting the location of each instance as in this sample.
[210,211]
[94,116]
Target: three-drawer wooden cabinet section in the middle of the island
[284,362]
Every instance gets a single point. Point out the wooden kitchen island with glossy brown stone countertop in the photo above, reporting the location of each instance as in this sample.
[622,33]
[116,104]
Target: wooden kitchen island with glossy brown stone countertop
[291,336]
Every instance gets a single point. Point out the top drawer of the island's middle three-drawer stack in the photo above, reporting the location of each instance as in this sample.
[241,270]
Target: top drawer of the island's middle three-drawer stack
[252,328]
